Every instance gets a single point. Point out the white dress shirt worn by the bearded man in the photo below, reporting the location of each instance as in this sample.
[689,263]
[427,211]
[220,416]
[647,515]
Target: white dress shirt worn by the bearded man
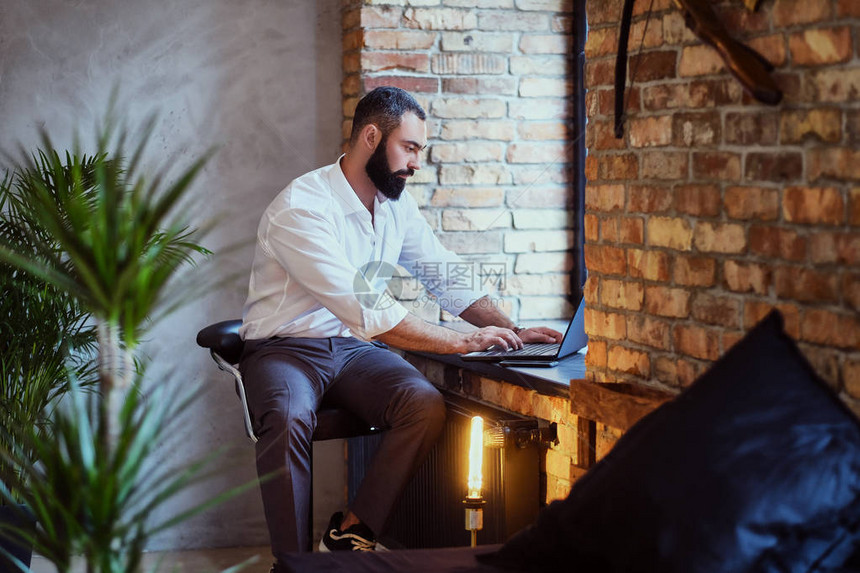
[313,275]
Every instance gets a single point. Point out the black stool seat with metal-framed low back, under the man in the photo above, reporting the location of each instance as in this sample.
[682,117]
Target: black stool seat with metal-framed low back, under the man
[225,346]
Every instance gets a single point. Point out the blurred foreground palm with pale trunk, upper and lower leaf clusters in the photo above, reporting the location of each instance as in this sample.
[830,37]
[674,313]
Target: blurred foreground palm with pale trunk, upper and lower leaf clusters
[114,242]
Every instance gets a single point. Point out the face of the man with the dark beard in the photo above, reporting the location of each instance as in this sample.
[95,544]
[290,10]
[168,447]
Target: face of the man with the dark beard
[396,157]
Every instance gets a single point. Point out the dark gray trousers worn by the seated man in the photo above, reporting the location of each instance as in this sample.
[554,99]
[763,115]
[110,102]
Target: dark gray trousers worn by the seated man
[286,380]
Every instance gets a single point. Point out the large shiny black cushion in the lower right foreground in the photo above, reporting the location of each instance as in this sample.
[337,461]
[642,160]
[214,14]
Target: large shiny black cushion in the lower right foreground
[755,467]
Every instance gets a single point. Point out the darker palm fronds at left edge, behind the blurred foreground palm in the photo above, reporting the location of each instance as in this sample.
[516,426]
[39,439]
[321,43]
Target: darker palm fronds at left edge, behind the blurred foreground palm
[44,338]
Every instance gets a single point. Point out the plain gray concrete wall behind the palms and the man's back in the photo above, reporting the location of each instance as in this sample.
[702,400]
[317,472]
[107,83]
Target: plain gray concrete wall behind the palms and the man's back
[259,79]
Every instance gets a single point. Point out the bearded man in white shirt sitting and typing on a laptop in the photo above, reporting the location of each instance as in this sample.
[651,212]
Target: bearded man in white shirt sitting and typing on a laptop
[309,334]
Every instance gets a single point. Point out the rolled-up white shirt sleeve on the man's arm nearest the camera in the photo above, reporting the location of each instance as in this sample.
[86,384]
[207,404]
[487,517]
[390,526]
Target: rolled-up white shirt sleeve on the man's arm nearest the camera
[306,244]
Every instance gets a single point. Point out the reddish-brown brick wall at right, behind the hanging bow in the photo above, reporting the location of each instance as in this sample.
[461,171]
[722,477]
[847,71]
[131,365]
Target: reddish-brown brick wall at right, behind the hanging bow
[715,208]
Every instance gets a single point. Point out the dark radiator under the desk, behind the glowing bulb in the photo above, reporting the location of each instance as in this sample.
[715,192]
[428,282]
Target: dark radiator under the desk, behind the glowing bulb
[430,512]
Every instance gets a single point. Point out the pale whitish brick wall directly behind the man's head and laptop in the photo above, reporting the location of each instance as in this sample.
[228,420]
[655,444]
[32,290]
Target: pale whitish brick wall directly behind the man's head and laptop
[493,77]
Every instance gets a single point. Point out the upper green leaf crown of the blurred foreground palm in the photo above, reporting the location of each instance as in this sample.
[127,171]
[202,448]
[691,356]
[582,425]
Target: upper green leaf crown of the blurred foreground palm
[109,234]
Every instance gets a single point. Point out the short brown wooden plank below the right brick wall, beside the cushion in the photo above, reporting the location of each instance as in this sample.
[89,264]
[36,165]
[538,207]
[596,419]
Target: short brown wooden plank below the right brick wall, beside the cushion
[619,405]
